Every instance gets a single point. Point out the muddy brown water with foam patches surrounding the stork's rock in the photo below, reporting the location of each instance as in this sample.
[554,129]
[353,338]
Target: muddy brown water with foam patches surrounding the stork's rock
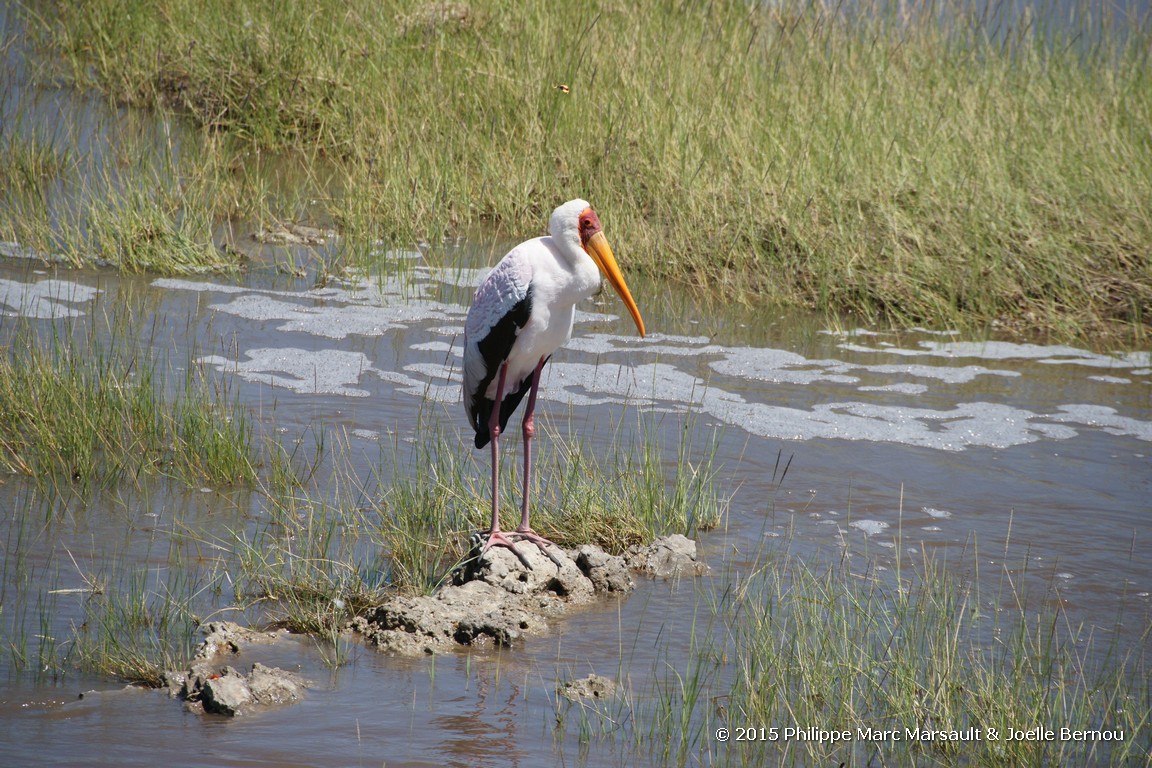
[1036,457]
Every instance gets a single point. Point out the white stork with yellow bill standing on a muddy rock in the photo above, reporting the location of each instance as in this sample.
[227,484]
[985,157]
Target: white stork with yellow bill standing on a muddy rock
[522,314]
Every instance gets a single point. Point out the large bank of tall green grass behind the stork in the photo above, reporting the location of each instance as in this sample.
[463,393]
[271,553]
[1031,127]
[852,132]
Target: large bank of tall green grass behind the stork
[986,171]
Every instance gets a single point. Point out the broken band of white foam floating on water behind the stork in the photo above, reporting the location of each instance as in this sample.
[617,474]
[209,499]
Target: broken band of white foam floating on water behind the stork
[734,397]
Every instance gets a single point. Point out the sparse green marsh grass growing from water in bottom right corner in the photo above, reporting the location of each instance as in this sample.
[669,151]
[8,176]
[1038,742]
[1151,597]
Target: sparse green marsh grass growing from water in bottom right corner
[847,664]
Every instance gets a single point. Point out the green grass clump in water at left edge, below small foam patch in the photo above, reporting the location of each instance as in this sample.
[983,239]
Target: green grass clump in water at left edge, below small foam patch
[86,414]
